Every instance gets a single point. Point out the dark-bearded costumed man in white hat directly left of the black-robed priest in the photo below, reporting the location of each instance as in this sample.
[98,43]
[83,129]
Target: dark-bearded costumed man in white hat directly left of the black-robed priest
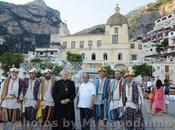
[46,98]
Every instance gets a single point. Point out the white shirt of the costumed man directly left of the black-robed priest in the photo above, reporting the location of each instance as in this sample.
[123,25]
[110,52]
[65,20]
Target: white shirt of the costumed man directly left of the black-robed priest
[48,93]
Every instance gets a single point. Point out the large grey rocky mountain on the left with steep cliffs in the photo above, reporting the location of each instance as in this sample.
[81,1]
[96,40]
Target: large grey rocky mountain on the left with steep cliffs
[21,25]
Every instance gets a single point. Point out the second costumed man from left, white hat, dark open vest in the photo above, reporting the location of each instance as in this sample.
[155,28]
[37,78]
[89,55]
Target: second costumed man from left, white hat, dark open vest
[31,87]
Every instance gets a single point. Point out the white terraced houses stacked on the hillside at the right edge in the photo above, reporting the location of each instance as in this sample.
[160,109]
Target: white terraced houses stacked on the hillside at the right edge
[160,47]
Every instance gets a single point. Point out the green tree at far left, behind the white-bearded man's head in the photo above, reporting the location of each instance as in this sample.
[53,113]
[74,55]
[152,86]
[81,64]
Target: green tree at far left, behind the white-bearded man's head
[9,59]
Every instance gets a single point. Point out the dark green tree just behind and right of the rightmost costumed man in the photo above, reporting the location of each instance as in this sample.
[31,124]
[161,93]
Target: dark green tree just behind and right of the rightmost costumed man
[143,70]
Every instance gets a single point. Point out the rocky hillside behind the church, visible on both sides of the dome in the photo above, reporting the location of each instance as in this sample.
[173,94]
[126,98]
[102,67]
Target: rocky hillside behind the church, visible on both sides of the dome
[141,20]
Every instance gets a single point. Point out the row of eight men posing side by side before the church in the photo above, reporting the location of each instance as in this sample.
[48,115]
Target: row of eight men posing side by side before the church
[105,100]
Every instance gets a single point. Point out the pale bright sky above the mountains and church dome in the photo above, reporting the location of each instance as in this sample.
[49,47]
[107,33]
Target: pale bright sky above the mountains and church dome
[82,14]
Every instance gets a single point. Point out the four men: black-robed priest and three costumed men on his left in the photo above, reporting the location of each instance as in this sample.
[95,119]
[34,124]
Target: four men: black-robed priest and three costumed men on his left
[21,99]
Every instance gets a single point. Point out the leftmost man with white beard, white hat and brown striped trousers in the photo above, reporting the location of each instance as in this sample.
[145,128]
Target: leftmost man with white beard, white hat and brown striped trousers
[9,97]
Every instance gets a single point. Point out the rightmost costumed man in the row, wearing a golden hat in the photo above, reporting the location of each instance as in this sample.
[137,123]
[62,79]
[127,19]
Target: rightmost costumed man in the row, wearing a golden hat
[133,116]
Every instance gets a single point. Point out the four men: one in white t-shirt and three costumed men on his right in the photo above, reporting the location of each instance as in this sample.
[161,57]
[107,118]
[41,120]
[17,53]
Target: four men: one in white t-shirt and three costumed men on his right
[109,101]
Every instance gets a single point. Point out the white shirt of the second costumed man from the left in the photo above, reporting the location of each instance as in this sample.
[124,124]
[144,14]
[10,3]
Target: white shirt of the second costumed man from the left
[29,98]
